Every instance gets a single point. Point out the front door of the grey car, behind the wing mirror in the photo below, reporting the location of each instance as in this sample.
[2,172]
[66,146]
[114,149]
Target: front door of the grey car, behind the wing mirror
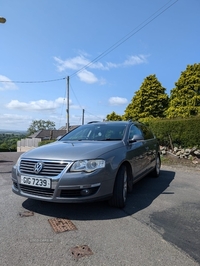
[136,152]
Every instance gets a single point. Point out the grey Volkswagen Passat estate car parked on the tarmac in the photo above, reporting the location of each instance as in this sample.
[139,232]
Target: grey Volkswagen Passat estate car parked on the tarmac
[96,161]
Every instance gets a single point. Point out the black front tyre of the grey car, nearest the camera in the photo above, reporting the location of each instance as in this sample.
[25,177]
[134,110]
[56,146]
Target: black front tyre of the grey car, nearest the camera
[120,188]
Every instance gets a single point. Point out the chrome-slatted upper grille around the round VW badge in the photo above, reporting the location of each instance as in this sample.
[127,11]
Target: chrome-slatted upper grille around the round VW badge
[50,168]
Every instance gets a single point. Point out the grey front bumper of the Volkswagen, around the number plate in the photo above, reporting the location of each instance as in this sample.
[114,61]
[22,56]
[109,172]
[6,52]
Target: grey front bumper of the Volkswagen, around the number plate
[68,187]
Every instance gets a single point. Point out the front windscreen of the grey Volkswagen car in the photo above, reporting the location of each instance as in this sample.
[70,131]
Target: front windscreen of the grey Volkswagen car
[100,132]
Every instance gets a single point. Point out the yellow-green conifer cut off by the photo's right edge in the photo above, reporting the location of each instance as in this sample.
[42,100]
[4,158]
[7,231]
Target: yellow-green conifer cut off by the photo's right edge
[185,97]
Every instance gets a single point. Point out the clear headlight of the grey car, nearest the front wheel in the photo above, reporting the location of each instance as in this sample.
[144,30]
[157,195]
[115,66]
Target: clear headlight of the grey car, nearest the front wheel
[87,165]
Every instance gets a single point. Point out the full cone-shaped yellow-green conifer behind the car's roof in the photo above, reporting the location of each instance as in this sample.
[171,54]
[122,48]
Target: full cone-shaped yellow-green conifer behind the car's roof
[150,101]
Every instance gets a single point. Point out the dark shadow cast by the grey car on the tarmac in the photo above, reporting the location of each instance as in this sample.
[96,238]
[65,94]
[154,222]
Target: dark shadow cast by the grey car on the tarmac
[144,193]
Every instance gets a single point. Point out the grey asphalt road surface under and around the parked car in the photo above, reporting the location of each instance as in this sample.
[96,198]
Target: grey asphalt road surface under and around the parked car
[160,225]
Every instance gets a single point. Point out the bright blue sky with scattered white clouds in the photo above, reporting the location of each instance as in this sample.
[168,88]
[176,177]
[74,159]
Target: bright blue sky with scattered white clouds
[106,48]
